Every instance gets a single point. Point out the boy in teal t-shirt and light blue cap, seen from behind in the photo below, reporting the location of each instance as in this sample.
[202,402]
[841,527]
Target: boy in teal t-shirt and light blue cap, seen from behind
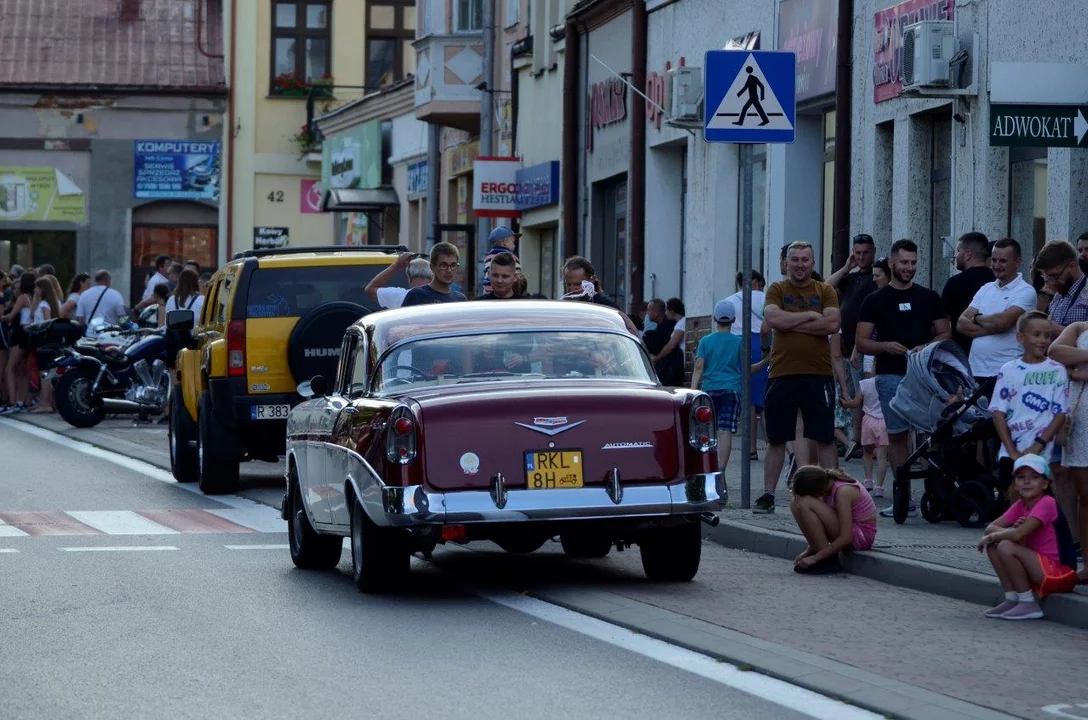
[719,374]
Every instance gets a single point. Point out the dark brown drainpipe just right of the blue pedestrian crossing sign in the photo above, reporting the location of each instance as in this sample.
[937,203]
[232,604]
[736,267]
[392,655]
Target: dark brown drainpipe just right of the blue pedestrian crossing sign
[843,133]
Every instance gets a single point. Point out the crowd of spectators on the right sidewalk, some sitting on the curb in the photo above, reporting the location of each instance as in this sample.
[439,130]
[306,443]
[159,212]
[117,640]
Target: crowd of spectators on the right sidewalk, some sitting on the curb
[839,351]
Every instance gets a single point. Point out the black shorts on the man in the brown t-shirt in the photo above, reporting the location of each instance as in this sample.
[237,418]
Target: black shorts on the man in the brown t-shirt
[813,396]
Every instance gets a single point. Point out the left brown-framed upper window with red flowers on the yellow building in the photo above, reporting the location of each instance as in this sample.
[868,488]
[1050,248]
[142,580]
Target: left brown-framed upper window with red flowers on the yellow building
[302,46]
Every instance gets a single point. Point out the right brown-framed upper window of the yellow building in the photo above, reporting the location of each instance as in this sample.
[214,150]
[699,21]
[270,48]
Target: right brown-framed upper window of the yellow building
[391,29]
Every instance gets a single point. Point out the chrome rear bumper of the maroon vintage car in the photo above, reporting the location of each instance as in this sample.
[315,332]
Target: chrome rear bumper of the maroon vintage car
[416,506]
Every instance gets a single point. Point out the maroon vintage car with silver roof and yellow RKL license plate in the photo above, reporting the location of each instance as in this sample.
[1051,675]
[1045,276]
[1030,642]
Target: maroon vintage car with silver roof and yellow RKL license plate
[513,421]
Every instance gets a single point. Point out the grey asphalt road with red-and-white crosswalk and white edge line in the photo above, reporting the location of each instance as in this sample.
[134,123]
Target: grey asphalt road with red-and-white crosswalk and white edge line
[126,597]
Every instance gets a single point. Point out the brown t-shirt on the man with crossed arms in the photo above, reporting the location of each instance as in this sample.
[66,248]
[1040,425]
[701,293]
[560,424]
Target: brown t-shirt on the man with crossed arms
[794,353]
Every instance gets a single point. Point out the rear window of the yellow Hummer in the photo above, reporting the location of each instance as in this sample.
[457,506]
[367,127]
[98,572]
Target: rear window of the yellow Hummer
[293,292]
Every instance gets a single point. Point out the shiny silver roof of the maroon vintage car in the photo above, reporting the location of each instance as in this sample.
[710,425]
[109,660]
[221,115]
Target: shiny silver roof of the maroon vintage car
[453,319]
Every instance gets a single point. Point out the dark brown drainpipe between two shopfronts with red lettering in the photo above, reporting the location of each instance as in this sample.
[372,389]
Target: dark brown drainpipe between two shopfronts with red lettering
[637,177]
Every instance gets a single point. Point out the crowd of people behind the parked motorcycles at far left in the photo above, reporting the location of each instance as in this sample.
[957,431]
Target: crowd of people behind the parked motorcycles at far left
[32,296]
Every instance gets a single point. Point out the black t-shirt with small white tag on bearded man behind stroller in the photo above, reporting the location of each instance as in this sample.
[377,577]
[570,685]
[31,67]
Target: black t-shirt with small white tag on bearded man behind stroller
[905,317]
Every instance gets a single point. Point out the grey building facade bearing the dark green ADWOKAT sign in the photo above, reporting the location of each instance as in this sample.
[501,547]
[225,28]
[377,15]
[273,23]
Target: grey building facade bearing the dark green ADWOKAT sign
[934,168]
